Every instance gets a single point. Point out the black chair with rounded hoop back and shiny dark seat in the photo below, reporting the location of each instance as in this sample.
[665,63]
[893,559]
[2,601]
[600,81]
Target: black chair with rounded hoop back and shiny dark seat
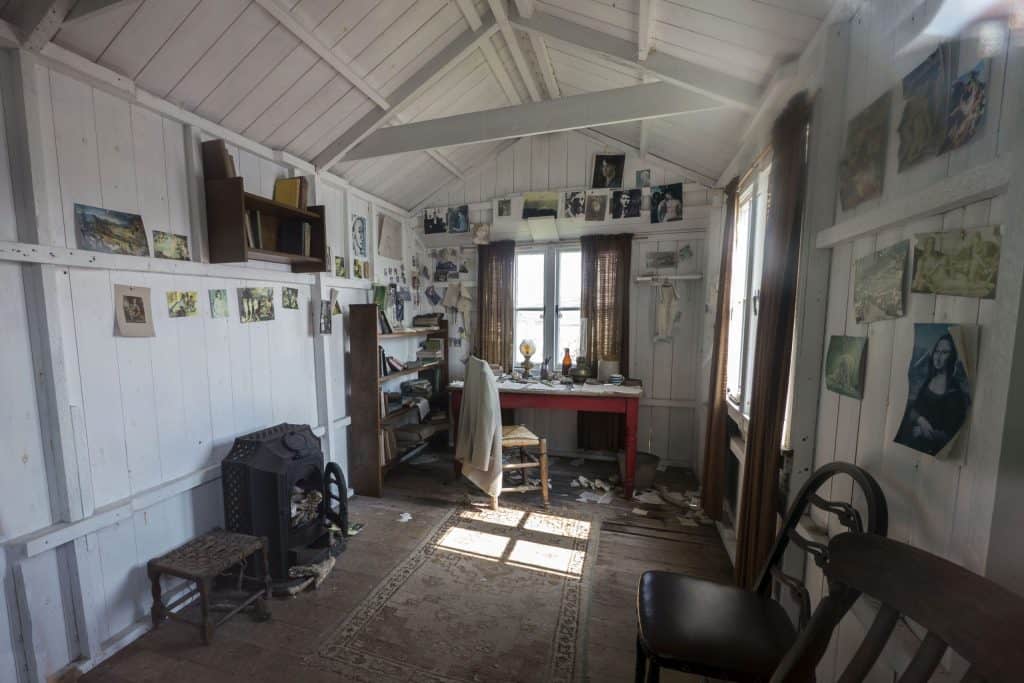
[724,632]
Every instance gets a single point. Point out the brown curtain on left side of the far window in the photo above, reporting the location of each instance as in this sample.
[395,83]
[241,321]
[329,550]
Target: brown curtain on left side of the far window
[496,306]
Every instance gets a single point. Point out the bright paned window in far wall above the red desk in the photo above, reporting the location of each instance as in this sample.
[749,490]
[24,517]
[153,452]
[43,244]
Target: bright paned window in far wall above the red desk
[547,302]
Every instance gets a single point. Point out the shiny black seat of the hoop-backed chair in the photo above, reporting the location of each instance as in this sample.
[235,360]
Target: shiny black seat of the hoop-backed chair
[686,621]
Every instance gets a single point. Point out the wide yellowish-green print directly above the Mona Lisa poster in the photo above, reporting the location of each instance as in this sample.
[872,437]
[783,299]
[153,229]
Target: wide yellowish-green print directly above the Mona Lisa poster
[959,264]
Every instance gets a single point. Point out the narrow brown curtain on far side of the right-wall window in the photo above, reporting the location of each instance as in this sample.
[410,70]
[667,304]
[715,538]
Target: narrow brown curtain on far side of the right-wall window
[716,436]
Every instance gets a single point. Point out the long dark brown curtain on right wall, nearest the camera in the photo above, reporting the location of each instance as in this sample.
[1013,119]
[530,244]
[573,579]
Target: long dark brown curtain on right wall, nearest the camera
[775,341]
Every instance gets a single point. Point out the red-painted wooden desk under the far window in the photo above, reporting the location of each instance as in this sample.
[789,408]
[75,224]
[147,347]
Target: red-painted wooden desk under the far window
[592,401]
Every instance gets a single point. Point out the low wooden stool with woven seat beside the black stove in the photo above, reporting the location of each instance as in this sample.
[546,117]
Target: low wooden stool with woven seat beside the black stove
[201,561]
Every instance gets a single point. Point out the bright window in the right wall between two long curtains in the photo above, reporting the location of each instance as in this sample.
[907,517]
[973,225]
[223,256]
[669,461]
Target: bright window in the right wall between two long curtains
[745,285]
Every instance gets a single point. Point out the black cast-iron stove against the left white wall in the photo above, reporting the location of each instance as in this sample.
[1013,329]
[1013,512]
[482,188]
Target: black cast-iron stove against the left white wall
[276,486]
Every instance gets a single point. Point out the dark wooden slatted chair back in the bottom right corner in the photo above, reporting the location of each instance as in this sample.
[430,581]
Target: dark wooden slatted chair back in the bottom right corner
[978,620]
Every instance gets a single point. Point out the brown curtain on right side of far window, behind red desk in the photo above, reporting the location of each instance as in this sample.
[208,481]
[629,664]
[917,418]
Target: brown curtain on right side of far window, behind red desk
[606,306]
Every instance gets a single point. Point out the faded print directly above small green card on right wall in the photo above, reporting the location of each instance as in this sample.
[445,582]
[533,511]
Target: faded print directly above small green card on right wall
[878,284]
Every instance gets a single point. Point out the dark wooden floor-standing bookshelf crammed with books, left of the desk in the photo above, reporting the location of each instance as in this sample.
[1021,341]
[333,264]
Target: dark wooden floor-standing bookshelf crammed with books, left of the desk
[367,435]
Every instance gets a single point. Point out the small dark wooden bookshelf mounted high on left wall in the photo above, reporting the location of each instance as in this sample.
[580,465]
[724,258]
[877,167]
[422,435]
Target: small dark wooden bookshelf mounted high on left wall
[228,205]
